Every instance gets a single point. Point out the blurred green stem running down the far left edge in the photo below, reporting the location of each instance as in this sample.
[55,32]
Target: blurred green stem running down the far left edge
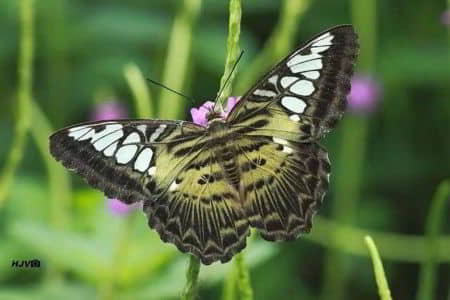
[25,73]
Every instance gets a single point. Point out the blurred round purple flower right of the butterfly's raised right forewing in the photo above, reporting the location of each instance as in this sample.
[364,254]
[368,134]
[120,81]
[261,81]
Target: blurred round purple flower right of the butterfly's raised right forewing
[363,94]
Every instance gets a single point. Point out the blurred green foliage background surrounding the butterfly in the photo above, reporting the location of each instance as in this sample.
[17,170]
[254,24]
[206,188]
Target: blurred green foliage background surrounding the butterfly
[390,154]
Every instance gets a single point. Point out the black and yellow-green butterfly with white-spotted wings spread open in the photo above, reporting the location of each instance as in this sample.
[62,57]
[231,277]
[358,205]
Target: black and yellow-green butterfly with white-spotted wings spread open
[204,187]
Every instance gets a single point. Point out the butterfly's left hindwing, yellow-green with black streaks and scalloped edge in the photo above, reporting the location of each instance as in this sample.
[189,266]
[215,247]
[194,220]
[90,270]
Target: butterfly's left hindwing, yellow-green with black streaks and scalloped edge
[202,213]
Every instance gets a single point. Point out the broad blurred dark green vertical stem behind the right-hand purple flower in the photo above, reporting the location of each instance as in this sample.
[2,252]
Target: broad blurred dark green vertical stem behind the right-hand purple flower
[351,155]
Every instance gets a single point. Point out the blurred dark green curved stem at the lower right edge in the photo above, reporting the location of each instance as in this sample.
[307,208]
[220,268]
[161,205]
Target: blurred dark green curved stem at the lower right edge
[427,276]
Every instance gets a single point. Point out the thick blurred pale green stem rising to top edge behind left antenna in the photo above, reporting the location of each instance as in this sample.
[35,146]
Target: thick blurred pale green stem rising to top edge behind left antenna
[177,60]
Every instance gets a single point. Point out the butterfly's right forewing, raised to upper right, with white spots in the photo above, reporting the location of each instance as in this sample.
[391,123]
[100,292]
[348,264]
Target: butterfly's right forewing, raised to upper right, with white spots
[304,96]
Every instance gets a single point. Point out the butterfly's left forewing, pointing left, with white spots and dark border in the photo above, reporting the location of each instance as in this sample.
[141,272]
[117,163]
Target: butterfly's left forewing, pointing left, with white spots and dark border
[127,159]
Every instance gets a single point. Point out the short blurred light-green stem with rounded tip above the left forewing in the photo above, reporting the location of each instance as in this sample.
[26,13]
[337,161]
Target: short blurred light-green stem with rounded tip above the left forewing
[139,88]
